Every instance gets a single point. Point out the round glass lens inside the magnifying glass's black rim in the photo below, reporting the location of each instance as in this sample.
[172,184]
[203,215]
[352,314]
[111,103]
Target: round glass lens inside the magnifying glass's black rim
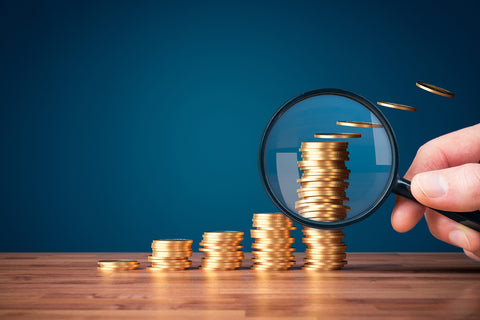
[313,177]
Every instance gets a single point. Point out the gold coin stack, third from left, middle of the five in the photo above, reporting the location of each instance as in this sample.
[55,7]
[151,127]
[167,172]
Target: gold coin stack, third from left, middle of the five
[221,250]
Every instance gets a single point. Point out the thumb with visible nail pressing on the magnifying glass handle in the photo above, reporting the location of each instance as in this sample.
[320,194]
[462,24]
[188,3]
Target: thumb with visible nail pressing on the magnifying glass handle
[451,189]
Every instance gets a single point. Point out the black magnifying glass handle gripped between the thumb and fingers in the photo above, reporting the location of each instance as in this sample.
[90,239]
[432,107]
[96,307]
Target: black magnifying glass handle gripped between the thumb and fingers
[469,219]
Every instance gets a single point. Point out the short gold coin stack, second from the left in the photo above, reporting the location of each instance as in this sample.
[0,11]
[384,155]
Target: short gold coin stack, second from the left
[170,255]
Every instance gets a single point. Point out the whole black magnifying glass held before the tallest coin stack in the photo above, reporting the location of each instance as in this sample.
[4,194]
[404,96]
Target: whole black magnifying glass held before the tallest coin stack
[372,164]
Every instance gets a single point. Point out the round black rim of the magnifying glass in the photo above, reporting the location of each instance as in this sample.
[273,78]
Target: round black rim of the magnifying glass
[320,224]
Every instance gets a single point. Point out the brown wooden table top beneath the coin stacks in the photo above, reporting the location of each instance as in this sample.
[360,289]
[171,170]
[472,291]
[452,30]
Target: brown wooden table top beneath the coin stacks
[372,285]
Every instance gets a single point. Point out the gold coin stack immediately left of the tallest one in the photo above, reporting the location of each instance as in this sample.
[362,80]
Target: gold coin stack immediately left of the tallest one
[273,242]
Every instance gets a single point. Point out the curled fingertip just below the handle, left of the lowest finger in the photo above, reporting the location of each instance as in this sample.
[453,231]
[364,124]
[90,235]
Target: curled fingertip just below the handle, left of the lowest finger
[406,214]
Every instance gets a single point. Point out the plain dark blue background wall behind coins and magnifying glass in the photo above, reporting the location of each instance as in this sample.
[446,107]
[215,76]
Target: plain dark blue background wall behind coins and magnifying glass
[126,121]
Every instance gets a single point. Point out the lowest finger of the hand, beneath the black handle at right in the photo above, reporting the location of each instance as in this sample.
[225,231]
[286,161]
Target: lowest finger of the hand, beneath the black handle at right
[452,232]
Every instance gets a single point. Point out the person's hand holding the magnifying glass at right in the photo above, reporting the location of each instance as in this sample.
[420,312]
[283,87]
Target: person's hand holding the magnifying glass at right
[445,175]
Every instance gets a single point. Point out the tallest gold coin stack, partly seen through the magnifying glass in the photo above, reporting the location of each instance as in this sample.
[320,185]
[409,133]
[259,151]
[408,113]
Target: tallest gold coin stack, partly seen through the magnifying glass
[322,196]
